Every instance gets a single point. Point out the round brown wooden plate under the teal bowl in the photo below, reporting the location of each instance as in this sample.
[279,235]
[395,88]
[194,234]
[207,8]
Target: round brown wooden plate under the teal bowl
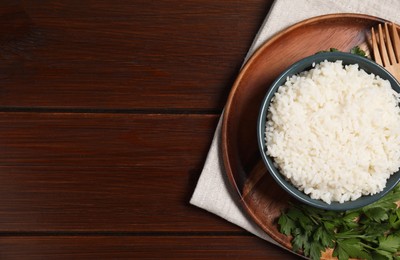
[262,198]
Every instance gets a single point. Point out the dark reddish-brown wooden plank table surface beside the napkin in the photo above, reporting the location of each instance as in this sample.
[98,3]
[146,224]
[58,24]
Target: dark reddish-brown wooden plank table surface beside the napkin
[108,109]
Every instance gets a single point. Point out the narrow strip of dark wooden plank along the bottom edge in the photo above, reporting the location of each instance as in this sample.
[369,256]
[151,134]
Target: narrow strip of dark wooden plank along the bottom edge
[140,247]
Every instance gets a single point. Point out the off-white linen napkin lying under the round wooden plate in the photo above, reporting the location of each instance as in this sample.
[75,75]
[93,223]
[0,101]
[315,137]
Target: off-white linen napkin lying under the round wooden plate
[213,191]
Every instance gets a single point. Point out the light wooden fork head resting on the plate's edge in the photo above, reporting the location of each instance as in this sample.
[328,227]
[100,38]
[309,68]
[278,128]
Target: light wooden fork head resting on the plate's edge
[386,48]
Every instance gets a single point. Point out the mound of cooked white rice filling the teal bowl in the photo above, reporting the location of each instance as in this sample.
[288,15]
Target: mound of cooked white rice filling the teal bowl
[334,132]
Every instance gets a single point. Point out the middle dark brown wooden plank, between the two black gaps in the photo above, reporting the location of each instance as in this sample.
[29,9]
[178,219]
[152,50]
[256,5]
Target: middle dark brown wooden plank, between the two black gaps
[110,172]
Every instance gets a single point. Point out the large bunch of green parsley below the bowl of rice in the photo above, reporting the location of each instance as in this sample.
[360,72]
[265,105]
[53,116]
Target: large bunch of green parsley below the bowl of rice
[372,232]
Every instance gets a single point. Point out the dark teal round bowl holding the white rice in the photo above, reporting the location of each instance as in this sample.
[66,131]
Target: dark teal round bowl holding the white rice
[304,65]
